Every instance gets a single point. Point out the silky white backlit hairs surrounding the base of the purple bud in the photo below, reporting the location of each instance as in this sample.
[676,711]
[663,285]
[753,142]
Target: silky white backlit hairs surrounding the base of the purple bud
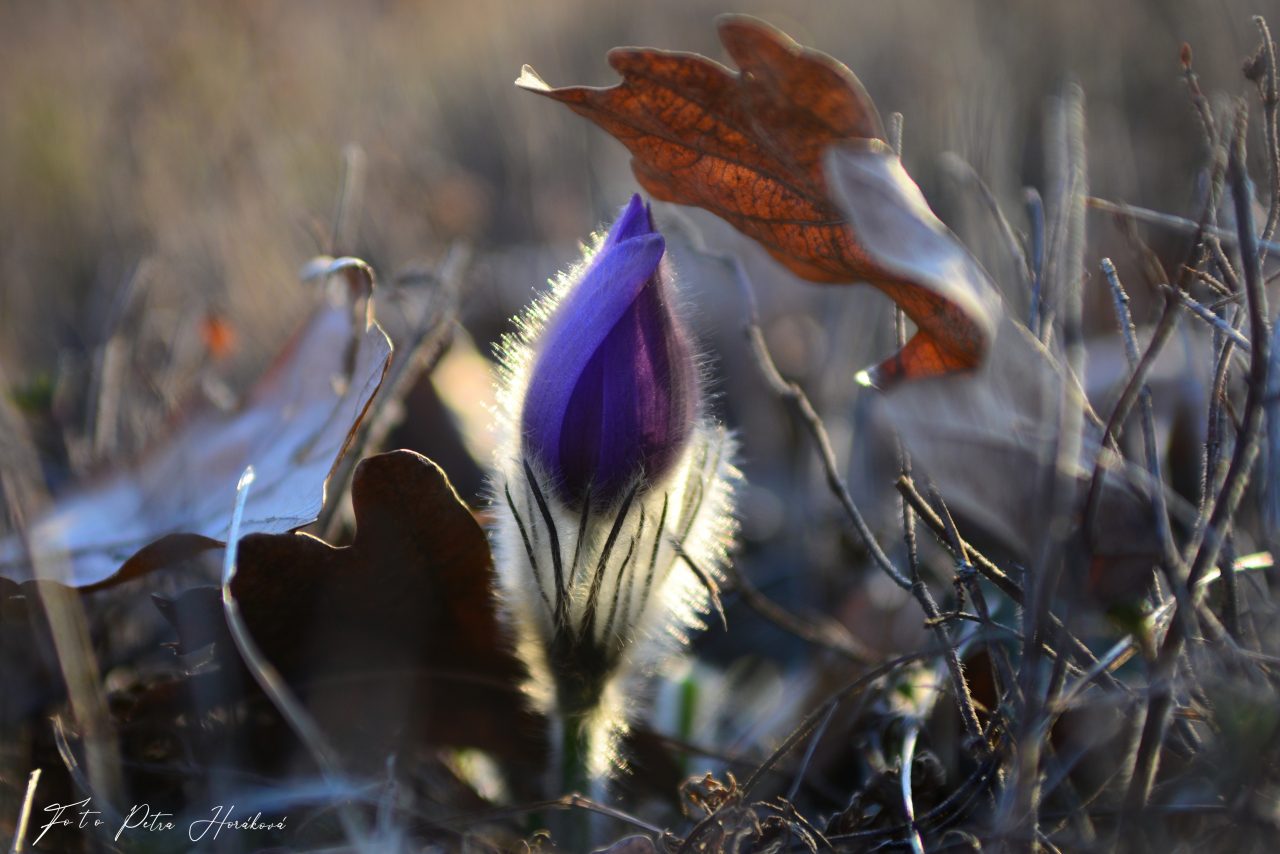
[615,590]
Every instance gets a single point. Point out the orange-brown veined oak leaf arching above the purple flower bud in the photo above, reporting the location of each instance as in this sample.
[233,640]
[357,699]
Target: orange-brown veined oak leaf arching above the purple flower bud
[749,148]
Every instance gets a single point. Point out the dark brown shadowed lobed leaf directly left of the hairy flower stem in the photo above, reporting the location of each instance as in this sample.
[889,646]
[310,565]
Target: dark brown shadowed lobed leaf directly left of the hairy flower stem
[403,622]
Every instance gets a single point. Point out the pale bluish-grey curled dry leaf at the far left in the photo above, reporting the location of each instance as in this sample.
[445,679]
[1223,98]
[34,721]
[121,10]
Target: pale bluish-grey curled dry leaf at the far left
[295,427]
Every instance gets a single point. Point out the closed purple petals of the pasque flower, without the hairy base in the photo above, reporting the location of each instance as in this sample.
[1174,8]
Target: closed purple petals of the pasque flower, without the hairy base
[614,390]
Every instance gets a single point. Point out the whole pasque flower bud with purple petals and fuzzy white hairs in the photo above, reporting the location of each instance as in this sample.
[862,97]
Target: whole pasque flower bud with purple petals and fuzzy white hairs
[612,486]
